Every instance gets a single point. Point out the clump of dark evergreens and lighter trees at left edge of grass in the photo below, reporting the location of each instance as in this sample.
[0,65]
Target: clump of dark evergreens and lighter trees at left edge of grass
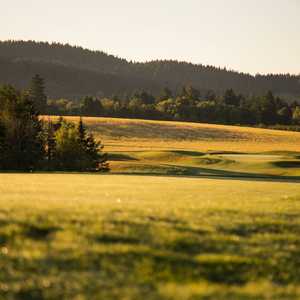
[29,143]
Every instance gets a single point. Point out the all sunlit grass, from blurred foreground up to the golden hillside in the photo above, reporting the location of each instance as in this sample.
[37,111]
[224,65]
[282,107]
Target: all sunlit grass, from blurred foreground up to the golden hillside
[189,211]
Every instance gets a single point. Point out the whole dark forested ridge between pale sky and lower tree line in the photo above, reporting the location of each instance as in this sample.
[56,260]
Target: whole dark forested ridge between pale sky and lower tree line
[74,71]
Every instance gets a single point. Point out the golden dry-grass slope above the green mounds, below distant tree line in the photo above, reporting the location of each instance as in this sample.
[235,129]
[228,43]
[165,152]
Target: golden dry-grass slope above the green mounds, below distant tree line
[129,135]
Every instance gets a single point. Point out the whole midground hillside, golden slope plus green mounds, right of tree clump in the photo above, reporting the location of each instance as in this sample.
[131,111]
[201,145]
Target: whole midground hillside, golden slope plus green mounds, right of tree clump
[190,149]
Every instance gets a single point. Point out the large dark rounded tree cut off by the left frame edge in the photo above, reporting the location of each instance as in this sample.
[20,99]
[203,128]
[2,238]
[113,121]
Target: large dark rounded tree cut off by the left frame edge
[23,131]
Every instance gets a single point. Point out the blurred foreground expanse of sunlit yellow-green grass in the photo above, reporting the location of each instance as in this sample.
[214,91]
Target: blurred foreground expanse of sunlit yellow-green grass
[81,236]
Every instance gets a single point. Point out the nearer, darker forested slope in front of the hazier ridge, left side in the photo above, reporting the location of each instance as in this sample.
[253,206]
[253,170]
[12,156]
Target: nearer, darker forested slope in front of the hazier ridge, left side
[64,81]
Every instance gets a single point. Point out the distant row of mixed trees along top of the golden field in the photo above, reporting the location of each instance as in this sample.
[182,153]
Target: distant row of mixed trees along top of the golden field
[188,105]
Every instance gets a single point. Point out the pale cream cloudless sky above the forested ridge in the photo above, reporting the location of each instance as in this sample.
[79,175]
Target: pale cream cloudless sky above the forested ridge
[246,35]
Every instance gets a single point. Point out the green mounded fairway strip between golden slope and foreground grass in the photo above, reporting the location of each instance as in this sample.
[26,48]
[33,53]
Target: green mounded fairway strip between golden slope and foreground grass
[193,163]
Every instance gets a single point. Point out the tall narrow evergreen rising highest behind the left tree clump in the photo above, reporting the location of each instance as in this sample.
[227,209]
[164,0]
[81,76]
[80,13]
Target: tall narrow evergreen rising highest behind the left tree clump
[37,94]
